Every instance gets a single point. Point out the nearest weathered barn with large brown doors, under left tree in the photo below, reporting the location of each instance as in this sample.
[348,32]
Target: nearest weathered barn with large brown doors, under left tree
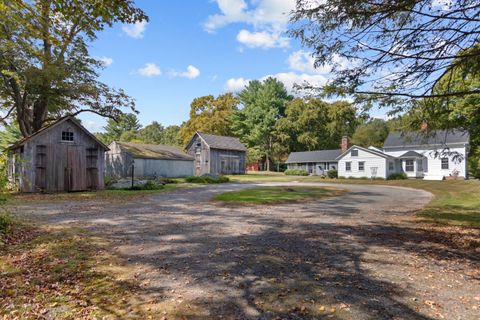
[63,156]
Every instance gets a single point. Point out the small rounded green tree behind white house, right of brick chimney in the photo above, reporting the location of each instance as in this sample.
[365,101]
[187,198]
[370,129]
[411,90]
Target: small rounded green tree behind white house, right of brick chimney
[371,133]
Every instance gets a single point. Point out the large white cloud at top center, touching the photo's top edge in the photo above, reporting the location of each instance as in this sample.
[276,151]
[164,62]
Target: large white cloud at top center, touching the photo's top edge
[269,19]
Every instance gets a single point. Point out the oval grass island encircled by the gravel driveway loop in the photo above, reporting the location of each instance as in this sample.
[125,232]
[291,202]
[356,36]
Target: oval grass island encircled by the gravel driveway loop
[273,195]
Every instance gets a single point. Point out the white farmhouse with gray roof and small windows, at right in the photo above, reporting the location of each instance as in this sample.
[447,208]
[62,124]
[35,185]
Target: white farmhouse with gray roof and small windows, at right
[432,156]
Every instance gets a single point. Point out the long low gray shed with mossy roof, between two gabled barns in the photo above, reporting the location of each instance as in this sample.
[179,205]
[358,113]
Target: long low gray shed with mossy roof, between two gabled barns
[148,161]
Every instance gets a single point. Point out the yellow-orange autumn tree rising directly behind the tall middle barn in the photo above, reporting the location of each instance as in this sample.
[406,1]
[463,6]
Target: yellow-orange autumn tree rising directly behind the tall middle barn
[210,115]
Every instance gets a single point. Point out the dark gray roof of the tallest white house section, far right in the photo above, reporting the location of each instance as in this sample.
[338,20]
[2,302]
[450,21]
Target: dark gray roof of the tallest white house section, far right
[438,137]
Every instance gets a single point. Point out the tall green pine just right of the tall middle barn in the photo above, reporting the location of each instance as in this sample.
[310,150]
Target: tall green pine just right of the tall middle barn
[263,105]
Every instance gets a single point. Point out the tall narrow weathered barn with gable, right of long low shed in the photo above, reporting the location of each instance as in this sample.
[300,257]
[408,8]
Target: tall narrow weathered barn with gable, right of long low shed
[217,154]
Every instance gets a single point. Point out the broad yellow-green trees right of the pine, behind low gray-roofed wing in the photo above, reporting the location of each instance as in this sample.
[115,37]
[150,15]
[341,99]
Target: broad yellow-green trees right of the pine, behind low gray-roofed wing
[314,125]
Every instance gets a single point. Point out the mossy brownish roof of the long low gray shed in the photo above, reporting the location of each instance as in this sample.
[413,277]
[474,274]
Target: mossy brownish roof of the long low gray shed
[153,151]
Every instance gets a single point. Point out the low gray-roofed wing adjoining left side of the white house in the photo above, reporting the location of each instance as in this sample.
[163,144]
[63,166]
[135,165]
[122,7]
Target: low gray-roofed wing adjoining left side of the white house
[314,162]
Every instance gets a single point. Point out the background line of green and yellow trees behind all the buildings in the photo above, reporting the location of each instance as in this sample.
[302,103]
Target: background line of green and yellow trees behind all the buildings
[272,123]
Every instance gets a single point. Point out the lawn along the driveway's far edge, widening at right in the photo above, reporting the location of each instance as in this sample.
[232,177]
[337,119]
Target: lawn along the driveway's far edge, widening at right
[454,202]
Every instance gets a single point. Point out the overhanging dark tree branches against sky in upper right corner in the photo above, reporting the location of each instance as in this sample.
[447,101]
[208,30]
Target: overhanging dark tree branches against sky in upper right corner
[390,51]
